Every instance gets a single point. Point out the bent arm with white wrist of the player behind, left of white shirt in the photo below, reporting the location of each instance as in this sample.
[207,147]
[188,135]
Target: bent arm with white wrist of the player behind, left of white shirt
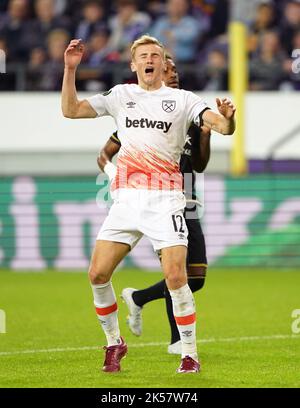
[104,159]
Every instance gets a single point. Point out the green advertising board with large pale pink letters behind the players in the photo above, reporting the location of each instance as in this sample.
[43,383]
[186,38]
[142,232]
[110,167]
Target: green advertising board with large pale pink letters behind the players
[52,222]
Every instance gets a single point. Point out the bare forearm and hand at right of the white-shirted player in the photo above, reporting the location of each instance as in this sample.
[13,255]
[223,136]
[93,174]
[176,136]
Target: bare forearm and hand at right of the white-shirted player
[224,122]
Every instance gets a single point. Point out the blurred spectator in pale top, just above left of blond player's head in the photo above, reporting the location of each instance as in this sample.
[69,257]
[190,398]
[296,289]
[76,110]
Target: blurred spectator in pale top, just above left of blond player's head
[127,25]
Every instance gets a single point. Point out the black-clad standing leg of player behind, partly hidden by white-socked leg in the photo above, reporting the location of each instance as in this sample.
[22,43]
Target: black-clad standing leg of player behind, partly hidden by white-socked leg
[196,272]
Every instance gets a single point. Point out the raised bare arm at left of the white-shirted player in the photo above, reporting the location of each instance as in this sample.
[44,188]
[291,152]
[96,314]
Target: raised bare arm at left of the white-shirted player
[72,108]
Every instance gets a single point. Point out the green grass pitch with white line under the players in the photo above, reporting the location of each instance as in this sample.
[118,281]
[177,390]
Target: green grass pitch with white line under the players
[243,327]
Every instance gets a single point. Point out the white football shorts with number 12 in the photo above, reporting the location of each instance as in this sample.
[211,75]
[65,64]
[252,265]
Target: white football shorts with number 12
[157,214]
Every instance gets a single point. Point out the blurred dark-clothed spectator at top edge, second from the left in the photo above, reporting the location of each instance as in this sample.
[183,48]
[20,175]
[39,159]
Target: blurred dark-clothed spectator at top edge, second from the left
[46,21]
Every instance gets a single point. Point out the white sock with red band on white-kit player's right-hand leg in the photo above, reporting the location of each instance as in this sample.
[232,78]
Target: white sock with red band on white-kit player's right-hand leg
[185,316]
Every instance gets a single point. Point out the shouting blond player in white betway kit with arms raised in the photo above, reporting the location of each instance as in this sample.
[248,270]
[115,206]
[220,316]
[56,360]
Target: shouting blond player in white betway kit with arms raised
[152,122]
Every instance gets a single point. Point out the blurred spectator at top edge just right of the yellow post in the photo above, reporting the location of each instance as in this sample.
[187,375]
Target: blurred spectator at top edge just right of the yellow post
[264,21]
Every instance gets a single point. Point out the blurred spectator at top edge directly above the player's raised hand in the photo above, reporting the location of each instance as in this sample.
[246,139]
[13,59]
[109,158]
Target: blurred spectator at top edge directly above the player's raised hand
[93,20]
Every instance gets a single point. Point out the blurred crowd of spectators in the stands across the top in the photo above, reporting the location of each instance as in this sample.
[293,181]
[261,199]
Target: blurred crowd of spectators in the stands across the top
[35,33]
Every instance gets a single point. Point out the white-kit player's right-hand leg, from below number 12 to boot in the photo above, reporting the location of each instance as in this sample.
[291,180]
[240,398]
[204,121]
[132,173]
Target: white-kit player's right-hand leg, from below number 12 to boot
[173,264]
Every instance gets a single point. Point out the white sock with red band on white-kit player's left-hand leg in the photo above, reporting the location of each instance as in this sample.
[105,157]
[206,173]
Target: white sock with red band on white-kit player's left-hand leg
[107,311]
